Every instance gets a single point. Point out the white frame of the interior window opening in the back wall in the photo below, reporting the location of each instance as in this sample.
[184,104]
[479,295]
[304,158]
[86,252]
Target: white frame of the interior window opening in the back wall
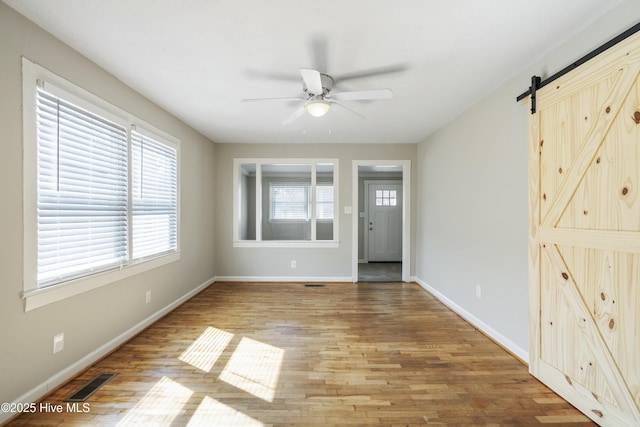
[258,242]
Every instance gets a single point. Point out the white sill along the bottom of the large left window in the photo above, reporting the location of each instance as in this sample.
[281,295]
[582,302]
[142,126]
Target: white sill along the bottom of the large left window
[37,298]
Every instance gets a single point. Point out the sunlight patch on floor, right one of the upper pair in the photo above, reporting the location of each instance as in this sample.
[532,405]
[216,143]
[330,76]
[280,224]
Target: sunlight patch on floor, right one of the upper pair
[255,368]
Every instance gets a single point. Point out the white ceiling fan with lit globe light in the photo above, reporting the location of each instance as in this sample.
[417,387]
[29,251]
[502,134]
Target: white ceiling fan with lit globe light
[318,97]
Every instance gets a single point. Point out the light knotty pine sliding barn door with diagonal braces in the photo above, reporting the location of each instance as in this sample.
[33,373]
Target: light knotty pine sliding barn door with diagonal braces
[584,197]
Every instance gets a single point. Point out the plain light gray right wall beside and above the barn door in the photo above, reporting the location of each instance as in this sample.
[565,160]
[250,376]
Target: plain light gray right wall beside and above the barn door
[472,195]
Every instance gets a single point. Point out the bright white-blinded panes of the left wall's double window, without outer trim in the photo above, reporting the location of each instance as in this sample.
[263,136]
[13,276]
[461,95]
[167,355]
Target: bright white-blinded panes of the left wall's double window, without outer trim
[83,218]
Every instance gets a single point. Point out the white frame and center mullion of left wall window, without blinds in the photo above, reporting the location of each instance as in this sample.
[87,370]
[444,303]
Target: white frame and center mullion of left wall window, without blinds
[34,296]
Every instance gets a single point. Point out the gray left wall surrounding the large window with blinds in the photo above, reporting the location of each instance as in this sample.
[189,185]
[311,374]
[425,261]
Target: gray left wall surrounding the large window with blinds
[96,317]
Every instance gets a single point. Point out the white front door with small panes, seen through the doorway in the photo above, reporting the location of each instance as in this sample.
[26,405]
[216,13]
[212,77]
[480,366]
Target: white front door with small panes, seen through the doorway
[385,222]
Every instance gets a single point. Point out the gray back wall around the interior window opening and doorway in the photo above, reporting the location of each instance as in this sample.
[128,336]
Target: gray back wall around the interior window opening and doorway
[275,262]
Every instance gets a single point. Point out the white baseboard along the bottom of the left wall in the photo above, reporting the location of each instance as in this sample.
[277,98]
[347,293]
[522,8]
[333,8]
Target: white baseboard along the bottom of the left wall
[70,371]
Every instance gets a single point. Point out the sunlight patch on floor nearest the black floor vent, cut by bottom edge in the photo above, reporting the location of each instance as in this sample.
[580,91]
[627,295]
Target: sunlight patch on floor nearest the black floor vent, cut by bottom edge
[160,406]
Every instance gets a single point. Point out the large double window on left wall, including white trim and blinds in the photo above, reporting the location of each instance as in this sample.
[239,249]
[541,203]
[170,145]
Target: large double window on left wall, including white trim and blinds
[101,192]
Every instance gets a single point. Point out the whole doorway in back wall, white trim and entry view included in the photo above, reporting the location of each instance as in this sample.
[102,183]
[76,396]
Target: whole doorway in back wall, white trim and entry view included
[381,203]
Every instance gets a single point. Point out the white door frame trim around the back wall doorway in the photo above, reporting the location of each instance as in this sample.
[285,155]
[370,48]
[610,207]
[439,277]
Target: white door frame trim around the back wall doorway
[406,214]
